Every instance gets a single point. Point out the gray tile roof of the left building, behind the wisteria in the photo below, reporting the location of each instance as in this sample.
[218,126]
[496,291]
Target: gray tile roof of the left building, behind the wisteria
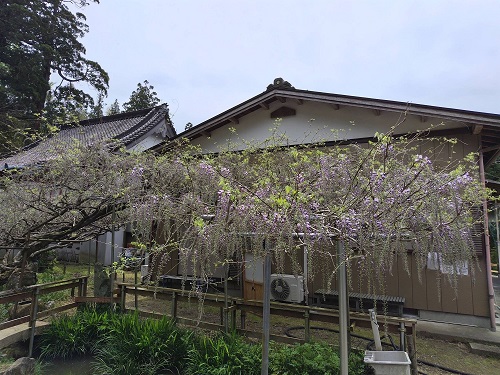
[125,128]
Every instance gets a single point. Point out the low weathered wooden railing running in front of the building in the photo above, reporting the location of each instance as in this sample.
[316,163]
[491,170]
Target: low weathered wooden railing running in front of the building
[228,306]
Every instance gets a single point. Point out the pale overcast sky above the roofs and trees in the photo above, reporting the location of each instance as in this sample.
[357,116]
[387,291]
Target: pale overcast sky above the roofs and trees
[204,57]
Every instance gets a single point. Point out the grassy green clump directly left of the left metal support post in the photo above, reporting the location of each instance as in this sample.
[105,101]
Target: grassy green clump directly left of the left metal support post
[224,355]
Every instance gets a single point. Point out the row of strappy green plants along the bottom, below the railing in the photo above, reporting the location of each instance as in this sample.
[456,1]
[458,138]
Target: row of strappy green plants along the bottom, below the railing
[126,344]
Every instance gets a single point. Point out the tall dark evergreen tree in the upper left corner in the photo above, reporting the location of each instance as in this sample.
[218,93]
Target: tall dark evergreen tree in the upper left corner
[39,38]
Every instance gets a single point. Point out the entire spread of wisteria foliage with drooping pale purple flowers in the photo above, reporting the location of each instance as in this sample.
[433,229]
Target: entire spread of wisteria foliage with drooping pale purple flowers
[381,199]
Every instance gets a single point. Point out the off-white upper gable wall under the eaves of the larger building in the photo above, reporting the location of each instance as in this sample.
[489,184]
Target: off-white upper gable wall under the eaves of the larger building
[313,122]
